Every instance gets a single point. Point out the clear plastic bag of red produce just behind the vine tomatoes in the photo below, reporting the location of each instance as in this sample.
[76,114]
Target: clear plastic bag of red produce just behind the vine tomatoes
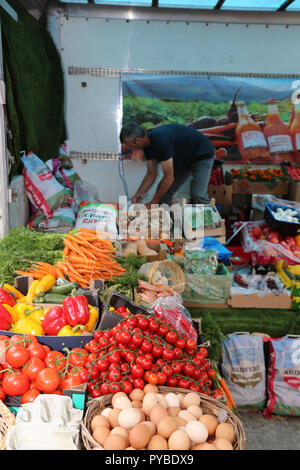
[172,311]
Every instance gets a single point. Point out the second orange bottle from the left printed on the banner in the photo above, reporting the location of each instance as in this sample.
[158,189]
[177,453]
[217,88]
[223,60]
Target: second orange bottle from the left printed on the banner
[278,135]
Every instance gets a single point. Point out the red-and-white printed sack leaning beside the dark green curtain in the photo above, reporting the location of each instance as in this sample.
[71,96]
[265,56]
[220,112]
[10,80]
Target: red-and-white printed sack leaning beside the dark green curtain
[43,190]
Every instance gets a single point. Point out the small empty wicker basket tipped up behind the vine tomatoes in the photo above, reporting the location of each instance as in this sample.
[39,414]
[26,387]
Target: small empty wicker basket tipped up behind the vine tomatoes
[169,269]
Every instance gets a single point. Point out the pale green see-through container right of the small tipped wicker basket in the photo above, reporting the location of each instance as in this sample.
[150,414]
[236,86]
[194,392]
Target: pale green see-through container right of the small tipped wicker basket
[208,289]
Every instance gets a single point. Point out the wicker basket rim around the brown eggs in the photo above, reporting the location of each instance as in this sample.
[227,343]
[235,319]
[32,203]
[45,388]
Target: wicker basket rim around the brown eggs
[208,405]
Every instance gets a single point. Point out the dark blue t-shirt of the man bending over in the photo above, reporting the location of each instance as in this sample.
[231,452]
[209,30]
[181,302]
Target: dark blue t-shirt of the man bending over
[182,143]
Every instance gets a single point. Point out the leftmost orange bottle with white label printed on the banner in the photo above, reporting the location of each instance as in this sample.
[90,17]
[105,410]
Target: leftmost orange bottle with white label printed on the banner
[250,139]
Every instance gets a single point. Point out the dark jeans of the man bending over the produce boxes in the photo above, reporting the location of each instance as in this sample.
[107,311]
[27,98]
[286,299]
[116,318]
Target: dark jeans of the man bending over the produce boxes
[201,170]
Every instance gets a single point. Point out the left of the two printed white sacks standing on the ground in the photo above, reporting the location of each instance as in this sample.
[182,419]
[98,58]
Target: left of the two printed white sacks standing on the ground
[243,368]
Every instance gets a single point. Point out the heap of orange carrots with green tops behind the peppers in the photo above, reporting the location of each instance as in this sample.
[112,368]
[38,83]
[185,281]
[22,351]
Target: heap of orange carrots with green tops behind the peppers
[86,256]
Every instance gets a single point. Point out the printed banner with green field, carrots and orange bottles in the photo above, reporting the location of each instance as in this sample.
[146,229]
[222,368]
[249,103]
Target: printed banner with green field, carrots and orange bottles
[248,120]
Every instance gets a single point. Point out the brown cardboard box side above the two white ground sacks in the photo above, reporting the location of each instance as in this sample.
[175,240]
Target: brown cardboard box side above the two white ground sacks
[269,301]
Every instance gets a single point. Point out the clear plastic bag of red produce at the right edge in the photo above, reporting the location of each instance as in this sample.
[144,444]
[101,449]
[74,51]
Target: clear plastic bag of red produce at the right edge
[270,247]
